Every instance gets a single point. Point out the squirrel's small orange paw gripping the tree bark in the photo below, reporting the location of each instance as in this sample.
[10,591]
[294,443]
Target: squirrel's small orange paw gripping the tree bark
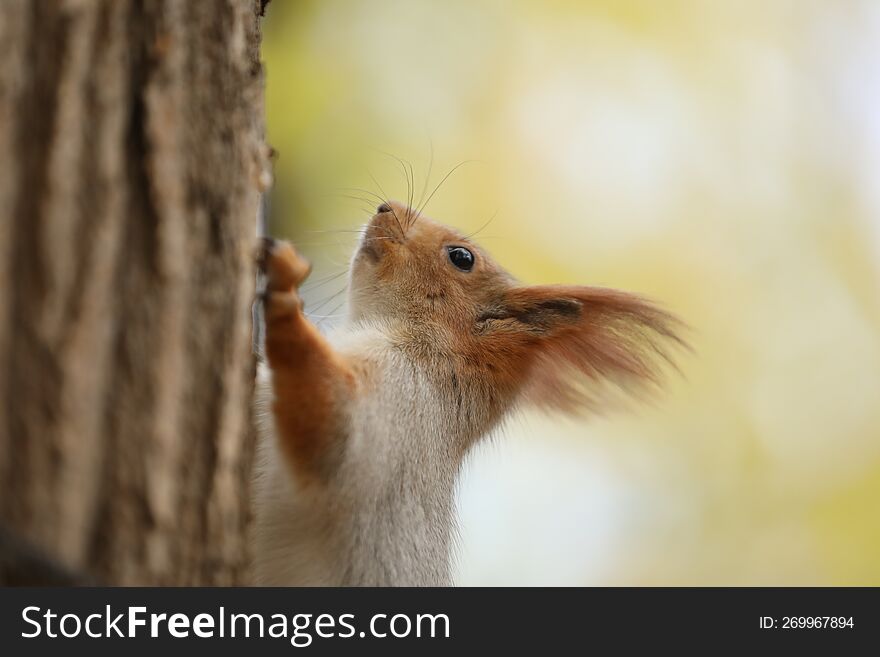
[285,271]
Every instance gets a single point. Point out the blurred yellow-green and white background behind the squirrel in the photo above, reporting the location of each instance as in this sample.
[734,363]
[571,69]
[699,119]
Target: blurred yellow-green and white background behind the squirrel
[720,157]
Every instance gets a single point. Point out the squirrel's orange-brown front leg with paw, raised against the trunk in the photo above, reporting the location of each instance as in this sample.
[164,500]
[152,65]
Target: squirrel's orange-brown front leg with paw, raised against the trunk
[312,384]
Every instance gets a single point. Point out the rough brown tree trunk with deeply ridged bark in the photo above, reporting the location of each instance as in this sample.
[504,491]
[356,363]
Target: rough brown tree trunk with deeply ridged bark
[131,162]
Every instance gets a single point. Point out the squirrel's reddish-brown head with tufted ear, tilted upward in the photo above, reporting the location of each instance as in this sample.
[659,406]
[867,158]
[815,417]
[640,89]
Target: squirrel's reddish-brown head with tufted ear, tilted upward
[548,342]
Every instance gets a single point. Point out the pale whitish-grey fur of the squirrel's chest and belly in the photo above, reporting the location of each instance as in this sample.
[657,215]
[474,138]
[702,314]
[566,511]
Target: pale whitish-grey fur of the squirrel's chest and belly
[385,517]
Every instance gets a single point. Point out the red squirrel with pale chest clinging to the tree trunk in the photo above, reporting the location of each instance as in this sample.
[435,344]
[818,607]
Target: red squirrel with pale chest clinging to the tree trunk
[362,433]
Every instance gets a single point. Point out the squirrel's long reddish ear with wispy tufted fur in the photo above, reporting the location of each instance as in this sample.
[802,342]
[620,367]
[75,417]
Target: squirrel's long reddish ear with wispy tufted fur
[558,342]
